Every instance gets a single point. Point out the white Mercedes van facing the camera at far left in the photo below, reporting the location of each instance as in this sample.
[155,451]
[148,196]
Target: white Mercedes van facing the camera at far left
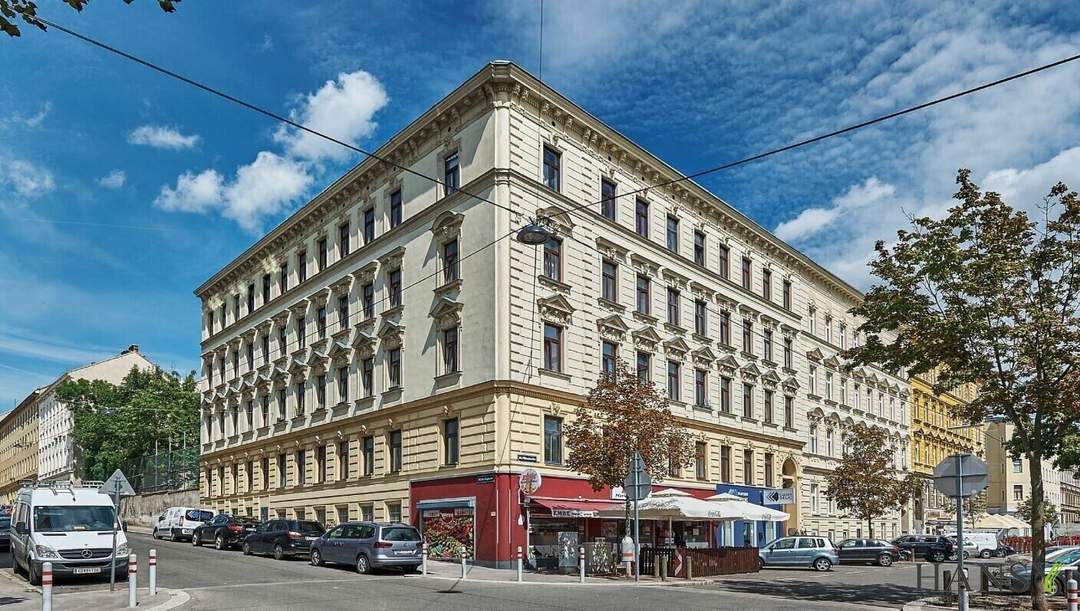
[66,525]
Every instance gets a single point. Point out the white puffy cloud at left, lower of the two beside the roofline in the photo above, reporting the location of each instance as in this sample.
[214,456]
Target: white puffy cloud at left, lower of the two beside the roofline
[260,189]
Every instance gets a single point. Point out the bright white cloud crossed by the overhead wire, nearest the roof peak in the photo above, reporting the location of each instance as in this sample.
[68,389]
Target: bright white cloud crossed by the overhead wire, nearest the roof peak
[343,110]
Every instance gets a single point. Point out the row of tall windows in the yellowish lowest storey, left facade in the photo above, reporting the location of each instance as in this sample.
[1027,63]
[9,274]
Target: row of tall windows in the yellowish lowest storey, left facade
[326,470]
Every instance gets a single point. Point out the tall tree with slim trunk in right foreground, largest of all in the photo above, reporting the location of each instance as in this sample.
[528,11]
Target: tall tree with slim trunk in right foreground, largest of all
[990,296]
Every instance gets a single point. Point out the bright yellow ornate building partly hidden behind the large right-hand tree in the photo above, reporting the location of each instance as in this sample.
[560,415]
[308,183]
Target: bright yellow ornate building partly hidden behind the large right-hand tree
[938,433]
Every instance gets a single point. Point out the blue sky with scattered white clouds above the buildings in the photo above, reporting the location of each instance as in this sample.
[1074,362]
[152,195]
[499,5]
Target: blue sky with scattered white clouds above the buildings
[121,191]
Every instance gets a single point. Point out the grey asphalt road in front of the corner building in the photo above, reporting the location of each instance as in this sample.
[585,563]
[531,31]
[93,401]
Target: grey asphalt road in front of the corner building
[228,580]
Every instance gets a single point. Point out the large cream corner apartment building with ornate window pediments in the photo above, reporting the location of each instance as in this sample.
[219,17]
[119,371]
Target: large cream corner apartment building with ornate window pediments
[390,351]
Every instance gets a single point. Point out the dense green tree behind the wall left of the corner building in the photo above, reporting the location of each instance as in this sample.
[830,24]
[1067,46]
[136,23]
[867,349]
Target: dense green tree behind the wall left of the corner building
[116,426]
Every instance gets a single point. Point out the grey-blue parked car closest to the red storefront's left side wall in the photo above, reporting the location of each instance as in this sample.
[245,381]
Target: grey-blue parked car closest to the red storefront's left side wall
[370,546]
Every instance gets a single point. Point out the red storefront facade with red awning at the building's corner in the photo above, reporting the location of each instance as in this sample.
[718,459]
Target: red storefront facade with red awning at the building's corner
[489,517]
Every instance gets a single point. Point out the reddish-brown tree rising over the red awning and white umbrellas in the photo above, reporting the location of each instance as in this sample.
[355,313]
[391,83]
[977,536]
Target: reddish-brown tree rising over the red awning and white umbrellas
[626,415]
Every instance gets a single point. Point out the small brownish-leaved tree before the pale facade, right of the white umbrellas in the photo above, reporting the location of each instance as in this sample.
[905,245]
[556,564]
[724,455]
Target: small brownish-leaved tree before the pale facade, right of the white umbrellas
[867,484]
